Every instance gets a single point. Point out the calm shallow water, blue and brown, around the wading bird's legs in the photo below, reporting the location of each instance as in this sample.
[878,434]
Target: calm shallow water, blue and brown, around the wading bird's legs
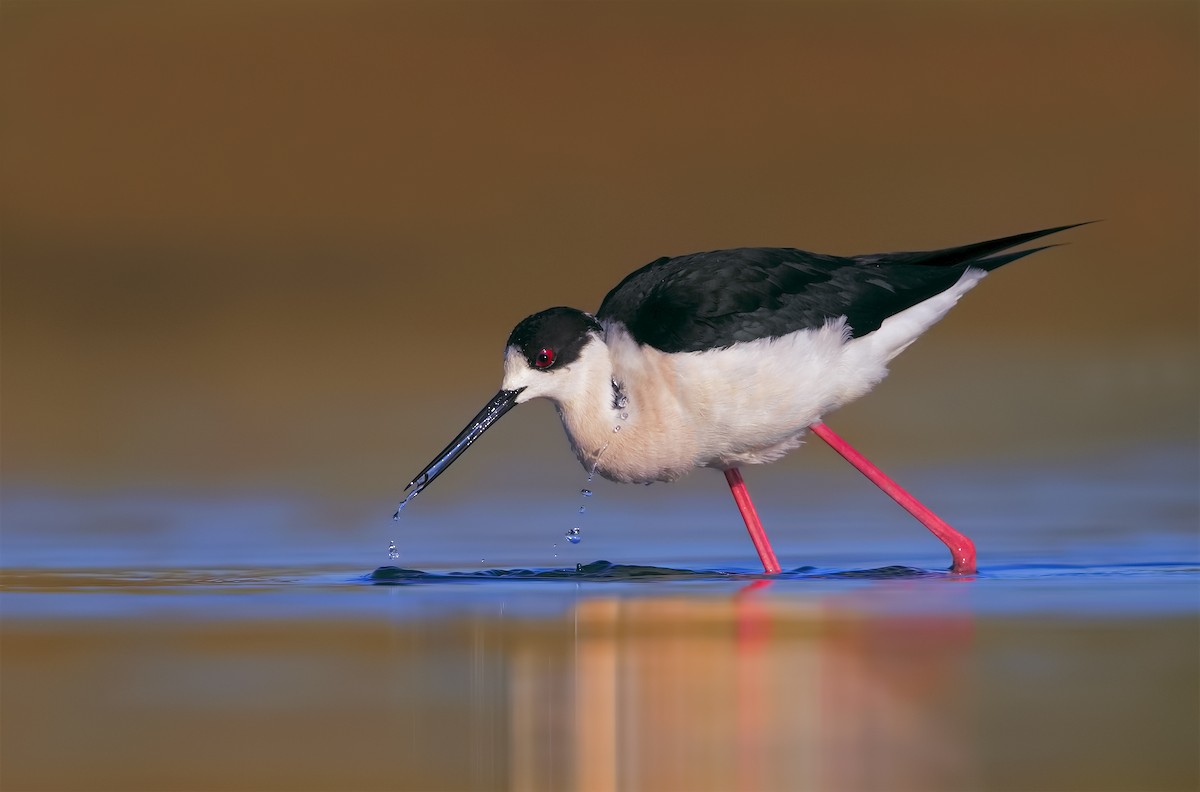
[153,643]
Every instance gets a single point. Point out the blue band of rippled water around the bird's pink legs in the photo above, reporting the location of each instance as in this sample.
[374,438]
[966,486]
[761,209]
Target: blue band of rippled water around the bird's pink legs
[1096,537]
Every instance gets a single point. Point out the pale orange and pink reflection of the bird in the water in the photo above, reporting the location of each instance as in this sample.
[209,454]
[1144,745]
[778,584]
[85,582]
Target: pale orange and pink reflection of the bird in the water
[745,693]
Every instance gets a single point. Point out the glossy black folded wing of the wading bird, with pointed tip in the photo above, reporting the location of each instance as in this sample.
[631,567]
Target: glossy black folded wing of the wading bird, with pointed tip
[717,299]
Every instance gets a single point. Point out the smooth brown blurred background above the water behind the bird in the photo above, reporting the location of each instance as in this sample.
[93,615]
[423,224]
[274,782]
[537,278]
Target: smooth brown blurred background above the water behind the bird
[280,245]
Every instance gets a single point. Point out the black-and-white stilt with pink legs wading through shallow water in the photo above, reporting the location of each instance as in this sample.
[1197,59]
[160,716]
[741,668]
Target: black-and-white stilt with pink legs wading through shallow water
[727,358]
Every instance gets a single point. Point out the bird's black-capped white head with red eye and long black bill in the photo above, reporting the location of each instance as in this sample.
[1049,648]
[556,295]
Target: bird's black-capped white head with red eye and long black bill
[541,352]
